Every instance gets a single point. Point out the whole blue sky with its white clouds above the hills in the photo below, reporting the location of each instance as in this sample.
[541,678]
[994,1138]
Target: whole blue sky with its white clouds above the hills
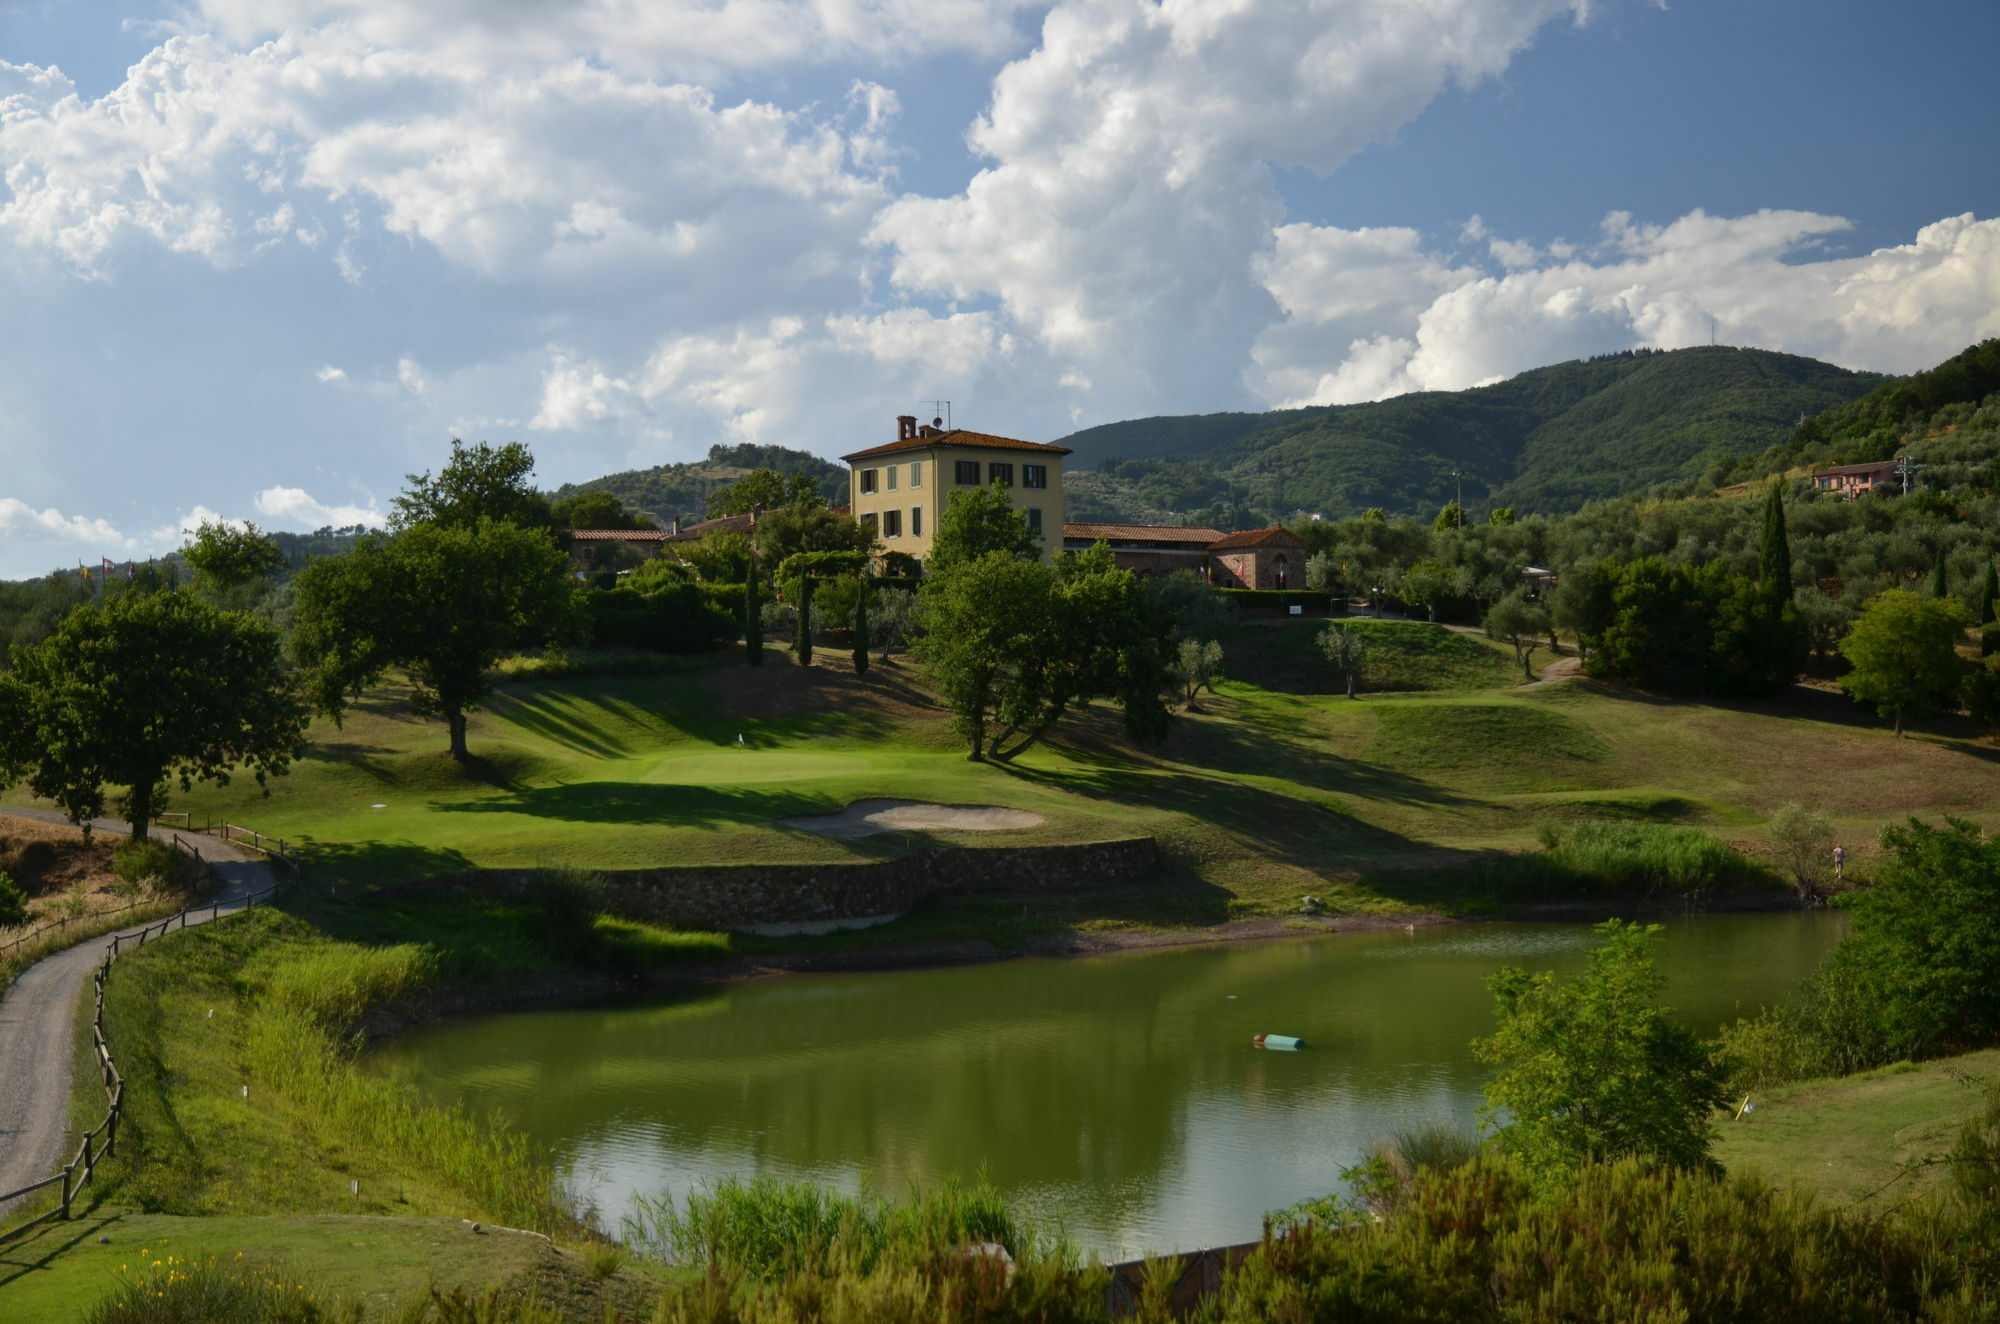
[263,259]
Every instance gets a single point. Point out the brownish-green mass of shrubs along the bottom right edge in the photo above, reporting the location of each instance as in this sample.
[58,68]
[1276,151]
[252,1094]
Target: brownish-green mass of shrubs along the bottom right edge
[1617,1241]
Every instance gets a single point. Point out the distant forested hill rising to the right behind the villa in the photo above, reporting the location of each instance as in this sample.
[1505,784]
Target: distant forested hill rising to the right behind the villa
[1547,441]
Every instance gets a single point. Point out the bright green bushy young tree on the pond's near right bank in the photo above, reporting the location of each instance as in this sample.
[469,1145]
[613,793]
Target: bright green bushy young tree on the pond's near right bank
[1595,1069]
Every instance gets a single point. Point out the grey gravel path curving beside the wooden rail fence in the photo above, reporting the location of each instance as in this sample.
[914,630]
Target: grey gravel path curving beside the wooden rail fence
[39,1017]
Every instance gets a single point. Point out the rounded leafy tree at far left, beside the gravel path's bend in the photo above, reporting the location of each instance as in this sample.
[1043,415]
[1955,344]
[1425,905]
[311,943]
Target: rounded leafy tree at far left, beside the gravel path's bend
[143,689]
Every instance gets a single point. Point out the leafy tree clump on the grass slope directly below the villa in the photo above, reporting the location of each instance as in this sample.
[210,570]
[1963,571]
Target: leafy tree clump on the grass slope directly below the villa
[1013,645]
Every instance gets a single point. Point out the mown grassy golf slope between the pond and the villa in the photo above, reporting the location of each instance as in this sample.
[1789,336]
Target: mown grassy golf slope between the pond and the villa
[1273,789]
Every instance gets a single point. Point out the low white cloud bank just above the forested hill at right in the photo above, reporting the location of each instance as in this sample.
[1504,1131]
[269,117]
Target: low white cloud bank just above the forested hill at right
[1749,281]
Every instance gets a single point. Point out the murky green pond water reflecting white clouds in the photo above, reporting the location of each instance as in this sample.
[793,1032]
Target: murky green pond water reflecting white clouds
[1119,1095]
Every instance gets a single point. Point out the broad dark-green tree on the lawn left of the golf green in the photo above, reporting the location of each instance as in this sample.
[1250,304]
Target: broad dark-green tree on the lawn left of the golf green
[443,603]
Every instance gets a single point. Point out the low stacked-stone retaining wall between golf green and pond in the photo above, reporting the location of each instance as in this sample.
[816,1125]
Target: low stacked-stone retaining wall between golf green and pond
[743,895]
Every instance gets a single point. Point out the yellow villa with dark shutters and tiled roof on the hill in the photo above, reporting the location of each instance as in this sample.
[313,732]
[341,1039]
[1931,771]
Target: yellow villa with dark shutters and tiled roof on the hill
[901,489]
